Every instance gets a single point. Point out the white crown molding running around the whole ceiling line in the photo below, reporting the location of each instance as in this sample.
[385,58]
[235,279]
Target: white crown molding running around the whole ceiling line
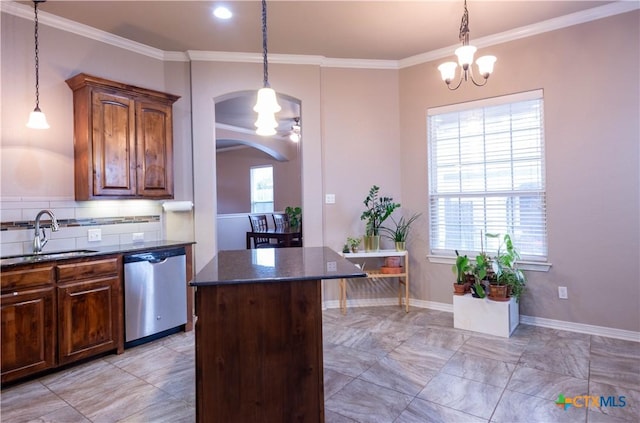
[26,12]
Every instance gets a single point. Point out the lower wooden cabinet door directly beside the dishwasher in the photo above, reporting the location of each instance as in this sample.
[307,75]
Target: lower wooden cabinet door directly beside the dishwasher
[88,318]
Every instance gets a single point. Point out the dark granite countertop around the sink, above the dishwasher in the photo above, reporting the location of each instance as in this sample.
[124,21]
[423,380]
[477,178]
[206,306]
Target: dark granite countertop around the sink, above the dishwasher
[89,251]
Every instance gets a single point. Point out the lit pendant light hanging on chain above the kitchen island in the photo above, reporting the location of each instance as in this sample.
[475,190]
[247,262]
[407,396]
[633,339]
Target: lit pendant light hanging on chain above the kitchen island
[267,104]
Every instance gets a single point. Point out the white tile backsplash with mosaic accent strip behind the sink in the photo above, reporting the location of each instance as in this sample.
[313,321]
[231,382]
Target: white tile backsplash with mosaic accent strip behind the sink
[117,221]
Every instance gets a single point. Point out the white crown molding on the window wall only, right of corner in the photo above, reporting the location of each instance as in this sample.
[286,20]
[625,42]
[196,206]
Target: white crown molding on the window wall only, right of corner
[560,22]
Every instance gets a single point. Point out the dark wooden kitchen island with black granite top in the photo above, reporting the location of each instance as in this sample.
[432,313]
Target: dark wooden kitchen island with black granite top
[259,334]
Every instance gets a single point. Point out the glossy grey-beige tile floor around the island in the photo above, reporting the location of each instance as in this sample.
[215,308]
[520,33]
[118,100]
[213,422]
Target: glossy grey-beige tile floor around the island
[381,365]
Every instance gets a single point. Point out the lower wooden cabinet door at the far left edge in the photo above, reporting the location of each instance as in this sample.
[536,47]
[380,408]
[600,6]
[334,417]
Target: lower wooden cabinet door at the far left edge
[28,332]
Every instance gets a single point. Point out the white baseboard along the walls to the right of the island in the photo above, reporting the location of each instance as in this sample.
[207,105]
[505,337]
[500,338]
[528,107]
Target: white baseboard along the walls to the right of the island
[626,335]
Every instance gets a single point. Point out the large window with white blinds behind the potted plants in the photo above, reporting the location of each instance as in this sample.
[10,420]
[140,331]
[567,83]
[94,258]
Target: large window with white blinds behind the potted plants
[486,175]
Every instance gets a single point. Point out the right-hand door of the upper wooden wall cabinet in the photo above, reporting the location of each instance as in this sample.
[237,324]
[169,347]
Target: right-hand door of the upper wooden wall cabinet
[154,149]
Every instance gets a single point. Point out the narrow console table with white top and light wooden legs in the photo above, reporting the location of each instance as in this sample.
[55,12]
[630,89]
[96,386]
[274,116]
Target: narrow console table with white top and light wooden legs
[373,274]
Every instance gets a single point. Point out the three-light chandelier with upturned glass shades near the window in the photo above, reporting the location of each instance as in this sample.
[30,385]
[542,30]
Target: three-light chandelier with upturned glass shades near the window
[465,59]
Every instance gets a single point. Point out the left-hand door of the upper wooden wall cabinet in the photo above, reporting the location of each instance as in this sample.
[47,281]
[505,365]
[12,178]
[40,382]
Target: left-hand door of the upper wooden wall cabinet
[113,142]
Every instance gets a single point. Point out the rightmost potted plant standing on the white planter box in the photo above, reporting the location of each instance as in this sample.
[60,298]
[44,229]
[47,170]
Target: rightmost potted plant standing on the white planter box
[510,280]
